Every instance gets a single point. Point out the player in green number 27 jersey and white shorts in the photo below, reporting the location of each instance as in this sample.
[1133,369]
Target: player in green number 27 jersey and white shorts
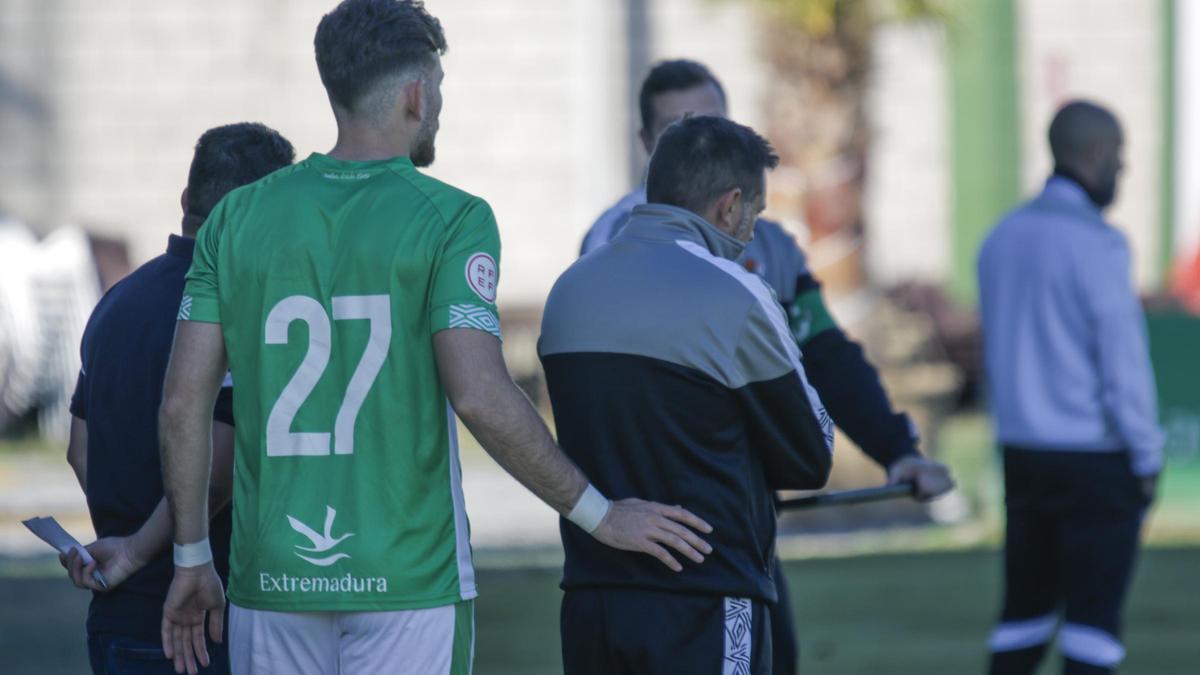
[353,300]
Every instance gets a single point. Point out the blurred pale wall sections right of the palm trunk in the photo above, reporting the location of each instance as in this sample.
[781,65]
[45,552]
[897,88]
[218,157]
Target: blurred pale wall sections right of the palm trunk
[1109,51]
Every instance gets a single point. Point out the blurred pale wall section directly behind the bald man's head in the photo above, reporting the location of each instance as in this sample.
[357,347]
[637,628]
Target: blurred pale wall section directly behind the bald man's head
[1112,52]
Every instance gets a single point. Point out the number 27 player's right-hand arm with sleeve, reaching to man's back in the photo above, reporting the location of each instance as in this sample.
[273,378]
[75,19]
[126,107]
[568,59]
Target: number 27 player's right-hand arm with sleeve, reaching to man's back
[466,343]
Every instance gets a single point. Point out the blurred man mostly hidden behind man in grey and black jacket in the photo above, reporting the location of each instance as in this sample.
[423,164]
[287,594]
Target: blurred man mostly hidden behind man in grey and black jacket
[842,375]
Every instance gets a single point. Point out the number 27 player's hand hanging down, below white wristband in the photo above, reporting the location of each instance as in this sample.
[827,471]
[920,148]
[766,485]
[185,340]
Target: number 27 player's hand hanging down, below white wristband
[194,593]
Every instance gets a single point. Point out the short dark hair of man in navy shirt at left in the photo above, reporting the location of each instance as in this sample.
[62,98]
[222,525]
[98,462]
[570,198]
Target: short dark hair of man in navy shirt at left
[227,158]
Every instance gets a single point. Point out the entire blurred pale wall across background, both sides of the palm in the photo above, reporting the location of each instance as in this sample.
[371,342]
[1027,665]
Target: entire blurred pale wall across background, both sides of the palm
[101,103]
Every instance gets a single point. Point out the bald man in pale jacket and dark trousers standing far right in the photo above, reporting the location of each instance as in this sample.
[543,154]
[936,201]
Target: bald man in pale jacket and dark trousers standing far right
[1073,396]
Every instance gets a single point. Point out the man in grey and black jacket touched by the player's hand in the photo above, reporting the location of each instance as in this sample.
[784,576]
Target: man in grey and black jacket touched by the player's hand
[674,375]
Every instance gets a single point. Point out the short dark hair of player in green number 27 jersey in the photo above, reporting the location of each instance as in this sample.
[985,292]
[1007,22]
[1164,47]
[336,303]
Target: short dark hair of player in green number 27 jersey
[363,41]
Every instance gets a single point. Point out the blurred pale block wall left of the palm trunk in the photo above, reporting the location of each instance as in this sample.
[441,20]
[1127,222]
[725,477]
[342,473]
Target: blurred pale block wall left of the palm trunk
[101,104]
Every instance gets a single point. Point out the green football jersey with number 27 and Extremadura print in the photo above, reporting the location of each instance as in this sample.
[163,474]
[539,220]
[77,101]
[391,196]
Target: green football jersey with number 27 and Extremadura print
[329,280]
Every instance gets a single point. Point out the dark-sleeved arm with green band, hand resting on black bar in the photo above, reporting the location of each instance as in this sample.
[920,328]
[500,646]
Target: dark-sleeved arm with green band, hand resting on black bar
[853,393]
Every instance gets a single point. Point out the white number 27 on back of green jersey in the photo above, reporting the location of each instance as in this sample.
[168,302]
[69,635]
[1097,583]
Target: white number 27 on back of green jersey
[281,441]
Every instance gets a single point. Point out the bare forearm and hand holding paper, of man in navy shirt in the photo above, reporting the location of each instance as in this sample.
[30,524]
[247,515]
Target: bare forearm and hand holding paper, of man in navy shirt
[121,558]
